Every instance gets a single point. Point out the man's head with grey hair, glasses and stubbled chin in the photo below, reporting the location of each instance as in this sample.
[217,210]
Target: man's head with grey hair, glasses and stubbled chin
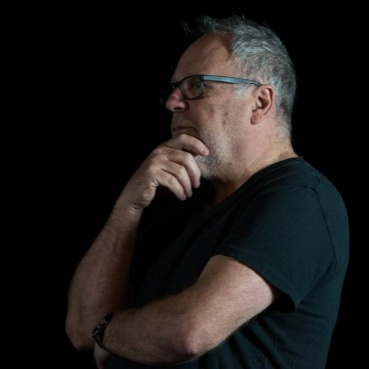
[239,119]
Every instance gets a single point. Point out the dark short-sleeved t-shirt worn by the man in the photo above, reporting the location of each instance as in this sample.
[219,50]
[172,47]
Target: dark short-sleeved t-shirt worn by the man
[289,224]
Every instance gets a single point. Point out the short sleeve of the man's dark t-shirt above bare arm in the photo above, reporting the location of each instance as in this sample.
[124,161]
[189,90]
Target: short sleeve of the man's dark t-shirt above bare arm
[283,236]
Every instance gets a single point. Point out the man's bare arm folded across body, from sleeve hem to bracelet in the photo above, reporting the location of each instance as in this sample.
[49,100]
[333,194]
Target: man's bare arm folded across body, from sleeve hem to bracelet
[183,327]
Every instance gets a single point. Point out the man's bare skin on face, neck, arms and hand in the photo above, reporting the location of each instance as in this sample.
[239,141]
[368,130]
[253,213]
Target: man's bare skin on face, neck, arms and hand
[225,137]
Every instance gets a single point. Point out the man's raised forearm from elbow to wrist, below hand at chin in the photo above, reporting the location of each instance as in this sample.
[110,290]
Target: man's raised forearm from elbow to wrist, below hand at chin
[100,283]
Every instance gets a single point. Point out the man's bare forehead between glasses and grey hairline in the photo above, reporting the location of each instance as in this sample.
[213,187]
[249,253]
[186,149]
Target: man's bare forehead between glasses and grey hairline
[210,54]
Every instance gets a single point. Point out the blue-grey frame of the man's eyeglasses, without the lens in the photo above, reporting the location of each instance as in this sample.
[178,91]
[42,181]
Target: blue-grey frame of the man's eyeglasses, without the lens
[208,77]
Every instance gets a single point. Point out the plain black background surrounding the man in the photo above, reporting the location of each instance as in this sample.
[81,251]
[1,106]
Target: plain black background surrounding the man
[81,112]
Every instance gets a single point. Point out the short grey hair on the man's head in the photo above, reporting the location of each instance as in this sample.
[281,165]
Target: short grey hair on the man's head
[260,55]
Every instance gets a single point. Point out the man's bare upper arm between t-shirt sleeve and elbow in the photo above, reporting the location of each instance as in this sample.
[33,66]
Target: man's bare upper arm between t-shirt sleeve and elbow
[226,295]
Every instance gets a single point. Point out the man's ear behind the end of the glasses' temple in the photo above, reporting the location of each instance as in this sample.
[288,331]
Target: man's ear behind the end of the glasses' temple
[263,104]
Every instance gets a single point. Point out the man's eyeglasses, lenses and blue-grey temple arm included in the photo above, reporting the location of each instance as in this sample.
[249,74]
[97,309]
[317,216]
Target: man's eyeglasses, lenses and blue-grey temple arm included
[192,87]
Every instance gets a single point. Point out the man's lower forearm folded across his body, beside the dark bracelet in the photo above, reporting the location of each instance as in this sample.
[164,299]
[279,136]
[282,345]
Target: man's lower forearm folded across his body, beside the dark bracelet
[157,334]
